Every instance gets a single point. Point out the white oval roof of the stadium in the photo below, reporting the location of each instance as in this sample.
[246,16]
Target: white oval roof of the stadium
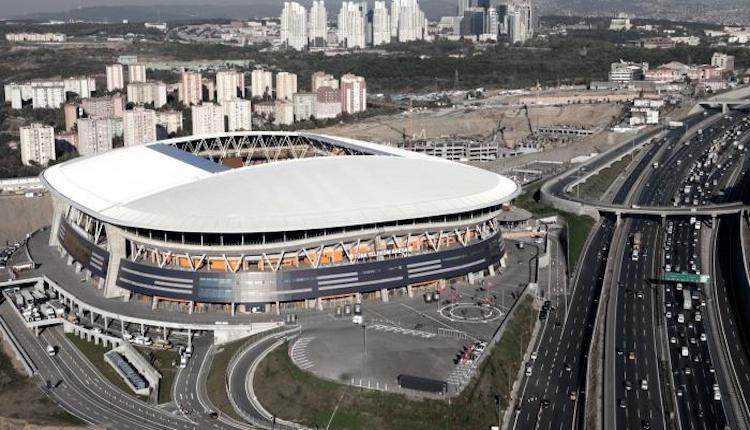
[159,187]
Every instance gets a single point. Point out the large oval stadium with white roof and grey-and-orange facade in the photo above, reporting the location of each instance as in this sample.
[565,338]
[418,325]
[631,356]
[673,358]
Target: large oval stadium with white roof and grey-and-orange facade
[267,220]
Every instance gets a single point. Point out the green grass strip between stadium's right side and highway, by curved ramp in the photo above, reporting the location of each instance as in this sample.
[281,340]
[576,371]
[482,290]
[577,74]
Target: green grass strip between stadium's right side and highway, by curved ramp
[579,226]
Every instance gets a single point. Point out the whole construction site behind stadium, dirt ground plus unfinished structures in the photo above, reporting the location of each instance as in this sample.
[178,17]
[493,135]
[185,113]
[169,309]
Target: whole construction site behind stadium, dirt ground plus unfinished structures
[487,129]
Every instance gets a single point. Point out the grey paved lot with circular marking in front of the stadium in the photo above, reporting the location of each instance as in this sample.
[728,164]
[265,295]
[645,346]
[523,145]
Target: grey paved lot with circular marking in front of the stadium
[435,337]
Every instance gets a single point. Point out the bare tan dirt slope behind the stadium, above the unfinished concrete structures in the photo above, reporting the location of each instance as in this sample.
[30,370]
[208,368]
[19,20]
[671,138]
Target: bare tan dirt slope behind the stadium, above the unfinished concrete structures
[476,122]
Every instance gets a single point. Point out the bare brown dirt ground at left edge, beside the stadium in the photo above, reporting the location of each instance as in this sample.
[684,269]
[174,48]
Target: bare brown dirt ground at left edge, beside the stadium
[20,215]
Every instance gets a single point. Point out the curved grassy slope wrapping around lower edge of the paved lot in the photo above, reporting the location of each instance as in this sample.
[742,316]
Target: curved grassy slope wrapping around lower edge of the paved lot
[296,395]
